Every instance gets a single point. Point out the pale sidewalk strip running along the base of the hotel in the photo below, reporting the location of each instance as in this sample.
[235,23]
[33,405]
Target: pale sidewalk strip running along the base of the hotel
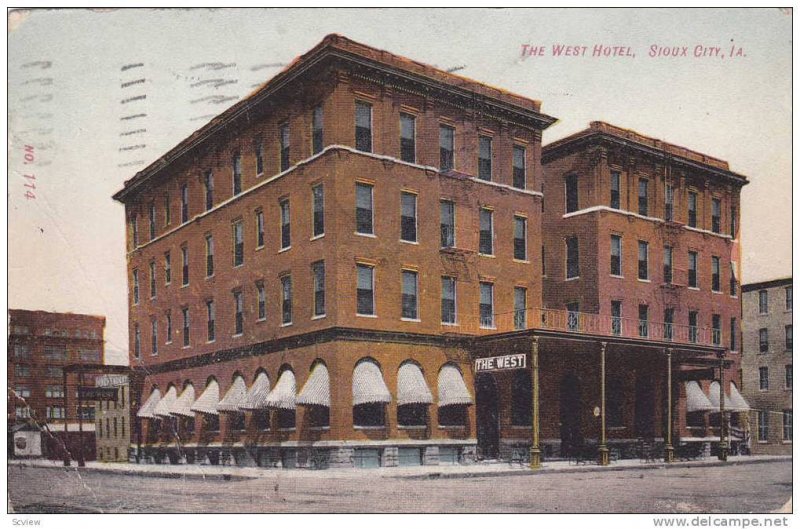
[420,472]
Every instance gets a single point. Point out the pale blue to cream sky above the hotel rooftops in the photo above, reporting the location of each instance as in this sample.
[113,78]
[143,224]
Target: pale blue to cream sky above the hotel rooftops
[66,247]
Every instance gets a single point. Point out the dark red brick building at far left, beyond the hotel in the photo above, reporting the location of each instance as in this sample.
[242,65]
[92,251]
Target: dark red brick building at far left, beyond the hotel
[40,345]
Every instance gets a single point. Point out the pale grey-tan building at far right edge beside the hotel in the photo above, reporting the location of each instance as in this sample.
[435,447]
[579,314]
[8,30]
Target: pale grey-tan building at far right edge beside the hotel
[767,364]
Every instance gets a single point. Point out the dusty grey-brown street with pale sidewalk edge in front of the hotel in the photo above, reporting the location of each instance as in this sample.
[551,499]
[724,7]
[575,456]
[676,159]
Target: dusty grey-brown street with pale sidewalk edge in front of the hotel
[741,486]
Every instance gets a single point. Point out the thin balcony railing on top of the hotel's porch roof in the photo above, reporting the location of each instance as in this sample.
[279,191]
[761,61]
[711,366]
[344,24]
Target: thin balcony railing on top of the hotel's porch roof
[584,323]
